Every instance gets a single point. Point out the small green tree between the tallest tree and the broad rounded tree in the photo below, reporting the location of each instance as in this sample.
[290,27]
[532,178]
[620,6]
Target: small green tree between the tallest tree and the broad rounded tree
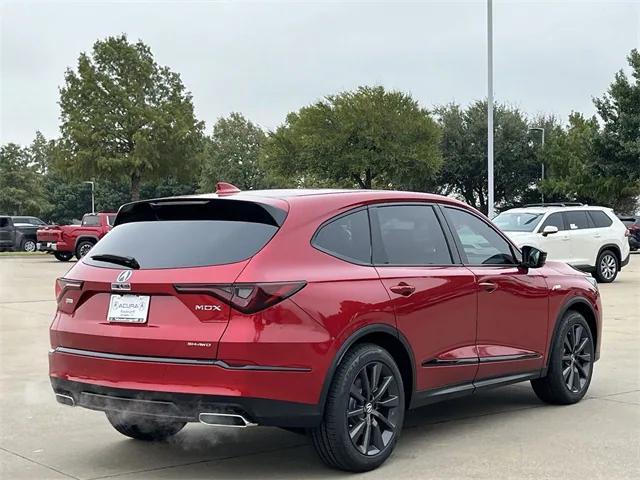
[232,154]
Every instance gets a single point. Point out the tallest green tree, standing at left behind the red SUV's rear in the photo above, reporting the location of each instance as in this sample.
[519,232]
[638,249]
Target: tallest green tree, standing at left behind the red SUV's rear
[125,116]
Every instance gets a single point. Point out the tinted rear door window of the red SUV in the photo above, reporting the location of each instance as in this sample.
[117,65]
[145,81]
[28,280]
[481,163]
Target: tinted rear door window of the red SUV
[410,235]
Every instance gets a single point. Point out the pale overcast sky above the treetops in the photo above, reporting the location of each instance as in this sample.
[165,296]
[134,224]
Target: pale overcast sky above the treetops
[267,58]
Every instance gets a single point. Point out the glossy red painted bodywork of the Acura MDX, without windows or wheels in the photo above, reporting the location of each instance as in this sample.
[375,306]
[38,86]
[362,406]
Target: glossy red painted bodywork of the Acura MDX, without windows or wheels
[447,315]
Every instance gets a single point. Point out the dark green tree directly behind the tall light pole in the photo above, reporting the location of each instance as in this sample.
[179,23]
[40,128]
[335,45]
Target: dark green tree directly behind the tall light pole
[464,150]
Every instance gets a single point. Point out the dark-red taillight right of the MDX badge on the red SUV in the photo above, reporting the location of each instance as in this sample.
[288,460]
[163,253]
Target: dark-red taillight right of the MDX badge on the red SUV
[246,297]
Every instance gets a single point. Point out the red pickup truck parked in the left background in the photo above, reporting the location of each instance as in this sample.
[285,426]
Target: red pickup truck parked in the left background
[68,240]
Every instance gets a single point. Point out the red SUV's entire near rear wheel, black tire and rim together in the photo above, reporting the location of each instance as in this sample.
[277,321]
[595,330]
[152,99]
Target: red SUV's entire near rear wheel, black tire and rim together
[373,438]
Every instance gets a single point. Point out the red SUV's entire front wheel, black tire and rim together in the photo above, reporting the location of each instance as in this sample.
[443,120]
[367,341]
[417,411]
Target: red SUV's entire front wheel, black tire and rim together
[570,363]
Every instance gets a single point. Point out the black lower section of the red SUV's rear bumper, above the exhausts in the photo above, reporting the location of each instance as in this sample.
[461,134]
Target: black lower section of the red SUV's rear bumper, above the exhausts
[187,407]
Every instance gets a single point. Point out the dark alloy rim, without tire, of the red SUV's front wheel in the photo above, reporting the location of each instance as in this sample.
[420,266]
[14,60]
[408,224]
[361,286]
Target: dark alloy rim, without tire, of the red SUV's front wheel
[576,358]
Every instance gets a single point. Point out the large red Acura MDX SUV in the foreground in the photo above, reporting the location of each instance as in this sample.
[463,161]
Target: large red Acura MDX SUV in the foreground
[330,311]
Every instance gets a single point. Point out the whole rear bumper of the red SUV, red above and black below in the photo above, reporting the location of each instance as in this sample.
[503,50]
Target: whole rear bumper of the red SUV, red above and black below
[184,390]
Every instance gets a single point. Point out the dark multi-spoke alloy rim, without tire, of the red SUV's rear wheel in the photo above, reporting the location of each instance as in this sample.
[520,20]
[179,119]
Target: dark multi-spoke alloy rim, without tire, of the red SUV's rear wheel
[372,411]
